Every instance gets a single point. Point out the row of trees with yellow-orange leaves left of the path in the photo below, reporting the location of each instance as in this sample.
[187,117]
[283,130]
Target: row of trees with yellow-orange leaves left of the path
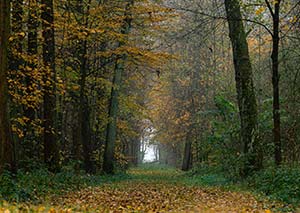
[70,75]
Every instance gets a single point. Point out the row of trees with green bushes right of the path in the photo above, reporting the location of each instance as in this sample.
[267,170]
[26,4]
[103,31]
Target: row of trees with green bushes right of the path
[215,125]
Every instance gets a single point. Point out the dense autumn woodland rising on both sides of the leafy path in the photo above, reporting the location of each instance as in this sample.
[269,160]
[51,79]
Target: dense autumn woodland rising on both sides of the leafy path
[87,85]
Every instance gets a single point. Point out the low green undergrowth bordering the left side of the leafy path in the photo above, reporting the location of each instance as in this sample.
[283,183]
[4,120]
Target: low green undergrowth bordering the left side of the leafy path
[35,186]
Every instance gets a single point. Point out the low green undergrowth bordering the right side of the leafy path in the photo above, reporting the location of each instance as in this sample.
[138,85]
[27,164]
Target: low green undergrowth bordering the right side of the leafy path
[277,184]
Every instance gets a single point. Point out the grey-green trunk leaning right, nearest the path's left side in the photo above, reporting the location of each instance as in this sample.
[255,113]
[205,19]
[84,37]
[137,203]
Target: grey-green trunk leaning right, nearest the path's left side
[111,132]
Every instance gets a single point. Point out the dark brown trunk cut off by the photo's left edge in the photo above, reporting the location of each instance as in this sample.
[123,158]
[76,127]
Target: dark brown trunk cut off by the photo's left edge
[6,143]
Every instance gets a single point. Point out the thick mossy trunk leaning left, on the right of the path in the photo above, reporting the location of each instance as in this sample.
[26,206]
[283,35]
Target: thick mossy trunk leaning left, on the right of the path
[244,85]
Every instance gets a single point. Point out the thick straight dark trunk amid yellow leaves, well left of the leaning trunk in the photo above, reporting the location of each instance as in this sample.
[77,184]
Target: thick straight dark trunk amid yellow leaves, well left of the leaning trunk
[51,156]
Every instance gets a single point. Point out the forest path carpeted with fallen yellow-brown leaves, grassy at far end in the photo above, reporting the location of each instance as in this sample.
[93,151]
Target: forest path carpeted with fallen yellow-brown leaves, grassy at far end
[158,190]
